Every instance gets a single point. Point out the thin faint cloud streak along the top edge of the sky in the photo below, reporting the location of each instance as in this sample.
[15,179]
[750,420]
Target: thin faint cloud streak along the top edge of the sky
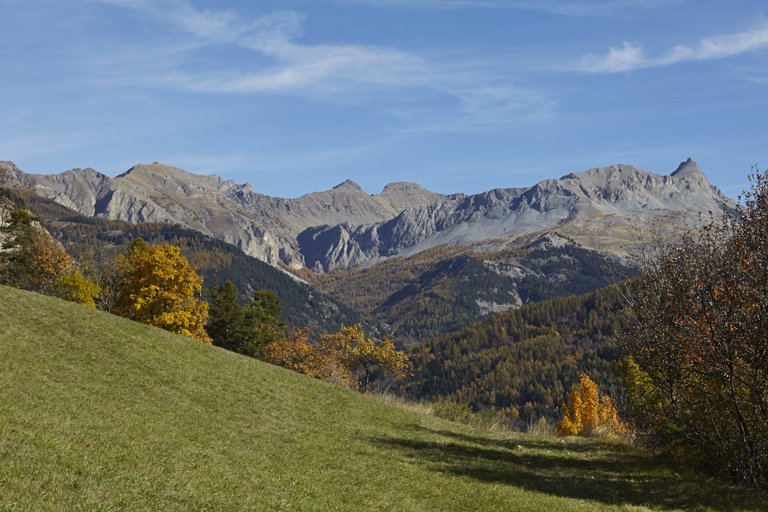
[568,8]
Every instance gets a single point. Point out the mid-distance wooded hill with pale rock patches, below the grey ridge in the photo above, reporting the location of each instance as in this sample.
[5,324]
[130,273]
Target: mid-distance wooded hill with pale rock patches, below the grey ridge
[444,289]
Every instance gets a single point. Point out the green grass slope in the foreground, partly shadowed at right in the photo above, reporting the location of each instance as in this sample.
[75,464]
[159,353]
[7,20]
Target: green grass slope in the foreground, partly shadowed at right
[99,413]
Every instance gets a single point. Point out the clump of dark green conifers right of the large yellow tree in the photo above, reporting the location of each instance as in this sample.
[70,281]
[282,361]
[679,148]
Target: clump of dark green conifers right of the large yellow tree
[243,329]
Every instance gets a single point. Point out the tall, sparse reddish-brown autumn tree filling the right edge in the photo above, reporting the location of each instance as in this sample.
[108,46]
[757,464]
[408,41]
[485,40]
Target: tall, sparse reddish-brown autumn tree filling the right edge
[698,350]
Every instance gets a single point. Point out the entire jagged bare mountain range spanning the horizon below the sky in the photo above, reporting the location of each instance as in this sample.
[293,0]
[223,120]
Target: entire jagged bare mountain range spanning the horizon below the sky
[346,226]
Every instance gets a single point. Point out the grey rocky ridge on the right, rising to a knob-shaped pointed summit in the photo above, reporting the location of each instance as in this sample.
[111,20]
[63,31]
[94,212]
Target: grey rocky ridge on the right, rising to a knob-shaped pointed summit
[617,193]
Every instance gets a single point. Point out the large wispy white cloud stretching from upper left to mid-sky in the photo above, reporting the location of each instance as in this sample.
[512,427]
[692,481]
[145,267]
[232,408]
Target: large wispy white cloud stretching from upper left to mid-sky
[342,73]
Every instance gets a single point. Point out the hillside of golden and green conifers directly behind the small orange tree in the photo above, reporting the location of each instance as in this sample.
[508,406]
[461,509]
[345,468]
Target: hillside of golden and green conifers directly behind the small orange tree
[524,361]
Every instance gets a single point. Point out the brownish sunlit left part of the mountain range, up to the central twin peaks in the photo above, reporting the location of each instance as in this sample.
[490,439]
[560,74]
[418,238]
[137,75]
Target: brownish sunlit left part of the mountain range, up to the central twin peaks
[264,227]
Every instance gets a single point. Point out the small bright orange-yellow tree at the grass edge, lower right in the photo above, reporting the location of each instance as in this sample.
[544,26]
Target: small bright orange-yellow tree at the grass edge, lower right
[587,415]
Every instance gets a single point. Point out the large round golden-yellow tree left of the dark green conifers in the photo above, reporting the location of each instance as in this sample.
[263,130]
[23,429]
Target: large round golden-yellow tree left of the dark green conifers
[161,288]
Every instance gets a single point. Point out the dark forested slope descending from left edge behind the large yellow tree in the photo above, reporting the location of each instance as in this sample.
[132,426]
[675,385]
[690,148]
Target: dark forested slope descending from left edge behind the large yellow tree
[92,238]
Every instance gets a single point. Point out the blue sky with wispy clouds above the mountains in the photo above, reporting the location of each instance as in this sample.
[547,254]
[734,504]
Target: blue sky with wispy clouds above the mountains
[457,95]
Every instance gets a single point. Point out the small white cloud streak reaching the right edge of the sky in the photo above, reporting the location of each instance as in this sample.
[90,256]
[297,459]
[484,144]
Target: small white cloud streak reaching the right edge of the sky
[631,56]
